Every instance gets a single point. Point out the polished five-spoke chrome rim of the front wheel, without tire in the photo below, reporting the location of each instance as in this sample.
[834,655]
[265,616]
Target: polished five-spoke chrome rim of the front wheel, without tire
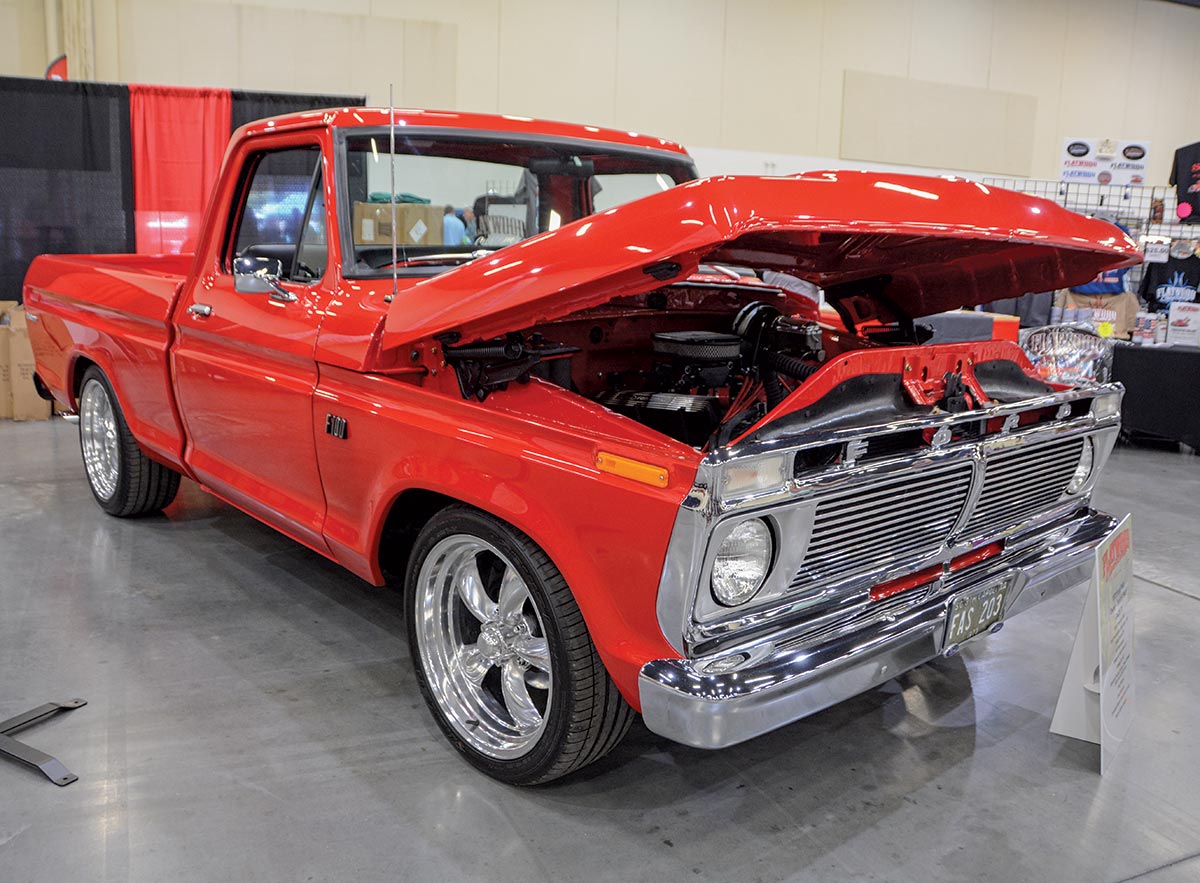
[483,647]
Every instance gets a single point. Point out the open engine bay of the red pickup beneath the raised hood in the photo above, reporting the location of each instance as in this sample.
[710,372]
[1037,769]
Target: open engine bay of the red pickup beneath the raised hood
[703,363]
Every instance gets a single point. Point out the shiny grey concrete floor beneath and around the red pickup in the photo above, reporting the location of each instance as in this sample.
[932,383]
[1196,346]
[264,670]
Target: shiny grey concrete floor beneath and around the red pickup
[253,717]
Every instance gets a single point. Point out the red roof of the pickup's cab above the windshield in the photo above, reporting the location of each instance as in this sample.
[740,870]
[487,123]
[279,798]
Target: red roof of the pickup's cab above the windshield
[377,117]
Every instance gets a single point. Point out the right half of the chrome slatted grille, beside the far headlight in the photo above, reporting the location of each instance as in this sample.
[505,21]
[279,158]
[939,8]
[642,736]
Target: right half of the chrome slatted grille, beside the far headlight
[1022,483]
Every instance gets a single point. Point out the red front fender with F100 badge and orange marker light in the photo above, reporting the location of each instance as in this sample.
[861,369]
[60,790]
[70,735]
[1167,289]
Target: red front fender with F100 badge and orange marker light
[527,458]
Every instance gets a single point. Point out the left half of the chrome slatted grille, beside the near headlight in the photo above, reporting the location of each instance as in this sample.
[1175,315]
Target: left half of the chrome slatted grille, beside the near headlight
[893,520]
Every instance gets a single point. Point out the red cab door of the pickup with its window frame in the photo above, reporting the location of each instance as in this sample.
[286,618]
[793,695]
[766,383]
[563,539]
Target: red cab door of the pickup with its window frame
[245,377]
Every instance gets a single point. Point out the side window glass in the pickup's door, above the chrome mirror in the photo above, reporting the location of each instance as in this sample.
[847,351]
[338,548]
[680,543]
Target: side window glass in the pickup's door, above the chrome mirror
[277,209]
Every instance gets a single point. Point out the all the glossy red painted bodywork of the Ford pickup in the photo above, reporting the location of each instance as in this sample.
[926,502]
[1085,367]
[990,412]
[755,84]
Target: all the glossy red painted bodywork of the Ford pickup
[256,380]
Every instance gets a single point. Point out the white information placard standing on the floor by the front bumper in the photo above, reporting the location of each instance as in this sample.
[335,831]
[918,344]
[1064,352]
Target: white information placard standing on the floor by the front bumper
[1097,698]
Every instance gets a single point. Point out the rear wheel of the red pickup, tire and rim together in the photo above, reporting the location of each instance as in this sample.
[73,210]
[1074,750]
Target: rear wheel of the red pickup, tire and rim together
[124,482]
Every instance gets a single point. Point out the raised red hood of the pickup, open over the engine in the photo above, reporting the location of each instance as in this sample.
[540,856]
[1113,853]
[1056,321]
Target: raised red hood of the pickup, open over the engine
[883,245]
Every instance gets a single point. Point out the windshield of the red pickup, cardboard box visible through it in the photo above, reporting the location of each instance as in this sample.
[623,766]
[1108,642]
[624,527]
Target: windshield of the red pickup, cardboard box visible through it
[458,196]
